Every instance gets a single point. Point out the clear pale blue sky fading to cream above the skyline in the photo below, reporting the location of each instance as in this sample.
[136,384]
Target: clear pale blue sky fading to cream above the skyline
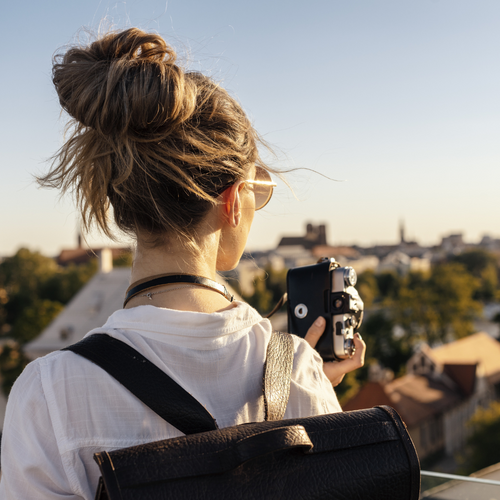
[399,99]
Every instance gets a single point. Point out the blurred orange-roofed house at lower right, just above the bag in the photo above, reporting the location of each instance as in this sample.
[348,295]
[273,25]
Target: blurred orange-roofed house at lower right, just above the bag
[441,391]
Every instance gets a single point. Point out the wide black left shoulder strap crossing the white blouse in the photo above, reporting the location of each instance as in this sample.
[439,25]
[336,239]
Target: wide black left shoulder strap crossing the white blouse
[147,382]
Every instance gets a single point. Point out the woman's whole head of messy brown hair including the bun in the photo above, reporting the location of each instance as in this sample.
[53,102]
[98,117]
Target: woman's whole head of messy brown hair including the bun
[155,142]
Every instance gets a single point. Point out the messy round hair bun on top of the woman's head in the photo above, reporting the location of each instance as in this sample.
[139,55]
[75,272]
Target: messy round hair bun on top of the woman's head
[101,86]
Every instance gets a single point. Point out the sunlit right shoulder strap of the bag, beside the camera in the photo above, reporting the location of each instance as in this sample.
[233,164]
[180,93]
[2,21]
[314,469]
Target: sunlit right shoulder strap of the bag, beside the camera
[277,375]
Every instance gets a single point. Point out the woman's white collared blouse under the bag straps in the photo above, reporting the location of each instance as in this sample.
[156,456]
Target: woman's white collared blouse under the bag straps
[63,408]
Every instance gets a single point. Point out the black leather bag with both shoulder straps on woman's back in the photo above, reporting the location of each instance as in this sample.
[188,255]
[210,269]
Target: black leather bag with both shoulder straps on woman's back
[359,455]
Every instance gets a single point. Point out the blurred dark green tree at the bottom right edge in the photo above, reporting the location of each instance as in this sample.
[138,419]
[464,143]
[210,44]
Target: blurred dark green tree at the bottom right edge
[483,446]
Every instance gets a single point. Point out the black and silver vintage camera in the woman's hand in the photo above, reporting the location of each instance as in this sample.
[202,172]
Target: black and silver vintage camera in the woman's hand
[325,289]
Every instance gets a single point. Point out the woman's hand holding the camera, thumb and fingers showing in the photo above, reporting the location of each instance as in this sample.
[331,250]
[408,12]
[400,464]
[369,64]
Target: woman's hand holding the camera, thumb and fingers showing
[335,370]
